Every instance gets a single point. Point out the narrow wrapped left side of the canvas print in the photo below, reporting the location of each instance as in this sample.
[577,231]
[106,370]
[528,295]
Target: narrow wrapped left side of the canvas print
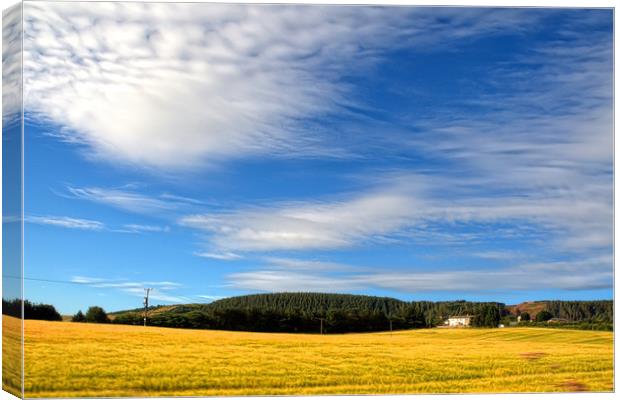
[12,202]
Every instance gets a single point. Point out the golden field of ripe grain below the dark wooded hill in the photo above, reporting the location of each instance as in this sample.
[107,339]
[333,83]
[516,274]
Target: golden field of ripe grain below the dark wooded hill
[70,359]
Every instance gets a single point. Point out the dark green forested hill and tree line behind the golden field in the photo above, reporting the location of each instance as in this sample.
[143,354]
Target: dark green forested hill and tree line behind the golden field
[341,313]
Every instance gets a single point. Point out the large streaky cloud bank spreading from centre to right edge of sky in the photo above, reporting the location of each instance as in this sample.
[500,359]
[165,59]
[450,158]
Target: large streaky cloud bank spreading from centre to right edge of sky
[536,156]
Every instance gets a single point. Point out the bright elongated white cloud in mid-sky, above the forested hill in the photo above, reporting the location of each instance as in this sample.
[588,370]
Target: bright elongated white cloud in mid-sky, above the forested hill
[316,225]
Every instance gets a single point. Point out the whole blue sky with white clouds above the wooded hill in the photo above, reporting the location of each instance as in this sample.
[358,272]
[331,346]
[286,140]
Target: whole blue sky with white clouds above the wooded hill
[215,150]
